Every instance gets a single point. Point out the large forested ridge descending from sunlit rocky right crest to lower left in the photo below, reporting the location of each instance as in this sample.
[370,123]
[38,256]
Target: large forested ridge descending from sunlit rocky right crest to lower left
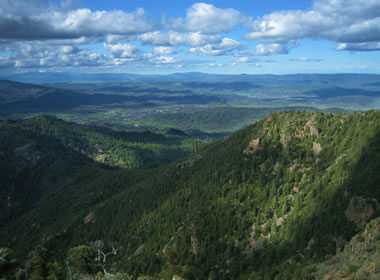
[268,202]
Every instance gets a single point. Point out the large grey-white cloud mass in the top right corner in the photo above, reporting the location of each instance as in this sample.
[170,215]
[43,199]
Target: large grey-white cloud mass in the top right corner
[344,21]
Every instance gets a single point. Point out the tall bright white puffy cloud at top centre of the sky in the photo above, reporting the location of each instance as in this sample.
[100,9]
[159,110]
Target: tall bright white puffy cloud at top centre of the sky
[209,19]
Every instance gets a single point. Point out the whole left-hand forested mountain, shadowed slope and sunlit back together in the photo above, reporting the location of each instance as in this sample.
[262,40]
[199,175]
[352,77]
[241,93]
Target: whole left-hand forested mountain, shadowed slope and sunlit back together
[41,154]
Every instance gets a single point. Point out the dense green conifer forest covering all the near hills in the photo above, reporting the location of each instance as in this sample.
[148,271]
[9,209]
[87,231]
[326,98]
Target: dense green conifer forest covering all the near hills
[273,201]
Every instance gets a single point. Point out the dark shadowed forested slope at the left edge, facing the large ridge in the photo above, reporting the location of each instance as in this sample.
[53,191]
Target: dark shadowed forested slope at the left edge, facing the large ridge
[31,165]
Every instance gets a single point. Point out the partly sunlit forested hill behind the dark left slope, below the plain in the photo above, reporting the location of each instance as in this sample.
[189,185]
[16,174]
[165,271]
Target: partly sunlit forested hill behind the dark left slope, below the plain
[112,148]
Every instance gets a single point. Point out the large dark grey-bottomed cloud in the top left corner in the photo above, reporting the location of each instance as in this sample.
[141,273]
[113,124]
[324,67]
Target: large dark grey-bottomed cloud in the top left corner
[32,20]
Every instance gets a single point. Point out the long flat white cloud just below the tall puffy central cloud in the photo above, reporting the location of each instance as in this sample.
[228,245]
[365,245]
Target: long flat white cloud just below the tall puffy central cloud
[173,38]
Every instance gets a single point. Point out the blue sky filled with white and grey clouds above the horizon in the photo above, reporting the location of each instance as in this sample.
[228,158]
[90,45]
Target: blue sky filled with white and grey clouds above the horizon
[162,36]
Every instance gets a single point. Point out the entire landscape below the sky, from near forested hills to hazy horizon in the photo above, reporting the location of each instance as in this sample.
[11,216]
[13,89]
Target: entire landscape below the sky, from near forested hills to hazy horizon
[187,179]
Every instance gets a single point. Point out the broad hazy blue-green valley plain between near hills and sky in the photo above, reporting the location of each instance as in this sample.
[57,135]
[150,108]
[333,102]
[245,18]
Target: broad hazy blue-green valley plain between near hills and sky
[196,103]
